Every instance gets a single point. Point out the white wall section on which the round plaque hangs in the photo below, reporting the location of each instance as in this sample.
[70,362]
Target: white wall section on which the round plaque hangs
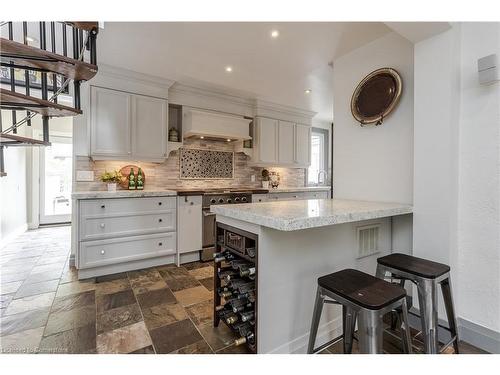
[374,163]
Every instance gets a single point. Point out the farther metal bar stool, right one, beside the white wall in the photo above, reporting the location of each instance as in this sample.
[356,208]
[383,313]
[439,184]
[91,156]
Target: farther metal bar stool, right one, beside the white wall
[426,275]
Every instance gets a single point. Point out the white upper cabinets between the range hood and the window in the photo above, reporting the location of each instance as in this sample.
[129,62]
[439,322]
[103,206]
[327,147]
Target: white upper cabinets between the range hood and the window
[281,143]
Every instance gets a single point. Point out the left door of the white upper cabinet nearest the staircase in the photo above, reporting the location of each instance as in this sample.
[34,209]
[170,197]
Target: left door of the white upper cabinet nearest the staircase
[110,123]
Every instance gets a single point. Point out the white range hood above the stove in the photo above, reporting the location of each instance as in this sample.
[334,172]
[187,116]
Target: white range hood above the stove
[215,125]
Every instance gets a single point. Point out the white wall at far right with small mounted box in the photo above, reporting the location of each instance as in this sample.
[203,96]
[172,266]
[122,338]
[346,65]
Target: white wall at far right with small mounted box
[457,187]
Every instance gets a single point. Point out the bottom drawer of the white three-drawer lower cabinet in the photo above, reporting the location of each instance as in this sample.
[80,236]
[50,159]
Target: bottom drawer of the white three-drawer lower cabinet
[126,249]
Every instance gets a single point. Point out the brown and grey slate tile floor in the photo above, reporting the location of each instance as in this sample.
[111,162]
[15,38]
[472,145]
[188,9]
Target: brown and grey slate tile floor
[168,309]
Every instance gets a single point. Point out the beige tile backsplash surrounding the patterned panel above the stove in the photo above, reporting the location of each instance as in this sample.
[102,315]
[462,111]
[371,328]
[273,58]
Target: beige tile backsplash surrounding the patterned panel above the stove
[167,175]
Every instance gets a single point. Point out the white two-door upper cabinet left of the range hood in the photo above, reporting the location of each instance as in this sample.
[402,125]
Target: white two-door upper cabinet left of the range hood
[127,126]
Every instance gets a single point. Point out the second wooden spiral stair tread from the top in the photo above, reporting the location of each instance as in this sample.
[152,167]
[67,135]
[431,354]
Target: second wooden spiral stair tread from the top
[18,101]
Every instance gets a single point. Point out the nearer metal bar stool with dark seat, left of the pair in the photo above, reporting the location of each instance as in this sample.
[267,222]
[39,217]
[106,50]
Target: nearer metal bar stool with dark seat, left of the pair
[363,298]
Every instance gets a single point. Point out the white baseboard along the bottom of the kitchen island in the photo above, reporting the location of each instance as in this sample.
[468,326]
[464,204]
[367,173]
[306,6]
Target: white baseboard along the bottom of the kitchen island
[326,332]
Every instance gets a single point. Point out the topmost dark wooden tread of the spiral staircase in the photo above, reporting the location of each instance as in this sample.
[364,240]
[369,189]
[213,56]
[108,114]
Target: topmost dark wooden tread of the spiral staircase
[26,56]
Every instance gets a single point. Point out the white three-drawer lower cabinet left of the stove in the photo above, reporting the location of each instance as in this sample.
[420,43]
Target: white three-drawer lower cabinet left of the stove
[123,234]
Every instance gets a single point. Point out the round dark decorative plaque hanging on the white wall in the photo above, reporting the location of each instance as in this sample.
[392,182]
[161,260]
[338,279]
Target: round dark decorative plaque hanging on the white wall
[376,96]
